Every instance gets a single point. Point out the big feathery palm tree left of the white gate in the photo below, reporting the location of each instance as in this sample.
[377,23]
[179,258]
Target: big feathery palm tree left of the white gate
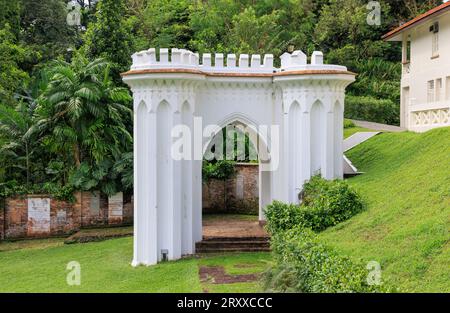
[83,115]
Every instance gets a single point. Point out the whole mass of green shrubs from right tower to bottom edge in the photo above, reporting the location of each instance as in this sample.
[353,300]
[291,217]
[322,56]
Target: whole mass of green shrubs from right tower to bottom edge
[301,262]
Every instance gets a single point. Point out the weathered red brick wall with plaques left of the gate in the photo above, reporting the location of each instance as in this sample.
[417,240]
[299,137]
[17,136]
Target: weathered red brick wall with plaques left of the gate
[34,216]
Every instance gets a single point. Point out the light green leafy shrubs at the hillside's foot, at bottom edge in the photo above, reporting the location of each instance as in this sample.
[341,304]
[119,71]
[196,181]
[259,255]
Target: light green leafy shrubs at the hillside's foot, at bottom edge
[303,264]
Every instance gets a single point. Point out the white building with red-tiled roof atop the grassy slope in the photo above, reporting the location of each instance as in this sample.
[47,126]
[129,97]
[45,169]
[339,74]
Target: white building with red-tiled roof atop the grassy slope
[425,84]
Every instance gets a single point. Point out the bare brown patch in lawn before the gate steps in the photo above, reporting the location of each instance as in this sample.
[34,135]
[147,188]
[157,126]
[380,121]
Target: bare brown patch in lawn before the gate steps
[217,275]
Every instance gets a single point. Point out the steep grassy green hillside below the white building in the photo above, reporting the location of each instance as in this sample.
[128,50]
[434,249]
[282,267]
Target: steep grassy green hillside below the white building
[407,222]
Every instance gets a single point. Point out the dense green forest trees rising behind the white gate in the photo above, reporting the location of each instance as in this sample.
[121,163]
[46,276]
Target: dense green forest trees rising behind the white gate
[65,117]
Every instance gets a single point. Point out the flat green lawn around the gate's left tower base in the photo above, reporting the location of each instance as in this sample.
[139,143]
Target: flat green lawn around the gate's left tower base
[105,267]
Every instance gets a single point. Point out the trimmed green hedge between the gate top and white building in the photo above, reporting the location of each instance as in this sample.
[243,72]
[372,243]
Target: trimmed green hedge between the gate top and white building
[372,109]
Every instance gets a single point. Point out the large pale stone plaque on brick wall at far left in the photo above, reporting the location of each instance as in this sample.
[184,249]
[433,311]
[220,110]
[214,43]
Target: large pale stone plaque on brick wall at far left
[38,215]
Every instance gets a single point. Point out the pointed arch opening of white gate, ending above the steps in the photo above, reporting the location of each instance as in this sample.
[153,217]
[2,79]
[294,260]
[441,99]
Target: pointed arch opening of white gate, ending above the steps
[245,192]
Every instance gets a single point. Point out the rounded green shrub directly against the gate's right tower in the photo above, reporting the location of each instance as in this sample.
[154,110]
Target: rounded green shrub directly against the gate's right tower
[325,203]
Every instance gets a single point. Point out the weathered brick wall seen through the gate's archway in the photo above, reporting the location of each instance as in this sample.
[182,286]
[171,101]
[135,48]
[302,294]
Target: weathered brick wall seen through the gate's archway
[238,194]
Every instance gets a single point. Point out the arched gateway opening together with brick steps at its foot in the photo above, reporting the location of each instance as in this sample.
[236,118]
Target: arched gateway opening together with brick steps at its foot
[232,186]
